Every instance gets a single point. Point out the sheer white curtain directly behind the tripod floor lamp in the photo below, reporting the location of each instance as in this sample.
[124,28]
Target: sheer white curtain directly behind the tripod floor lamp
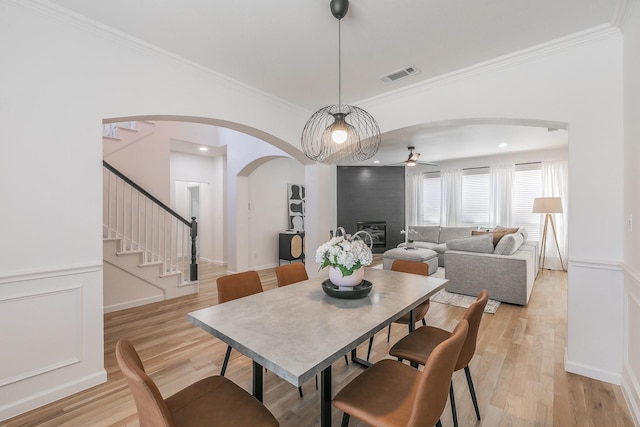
[555,180]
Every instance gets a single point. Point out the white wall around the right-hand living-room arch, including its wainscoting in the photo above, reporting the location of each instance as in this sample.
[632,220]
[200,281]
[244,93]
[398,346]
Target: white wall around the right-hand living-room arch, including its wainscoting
[579,84]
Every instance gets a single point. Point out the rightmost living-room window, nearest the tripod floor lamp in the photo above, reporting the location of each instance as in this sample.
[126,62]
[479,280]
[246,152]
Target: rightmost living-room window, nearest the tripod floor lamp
[527,186]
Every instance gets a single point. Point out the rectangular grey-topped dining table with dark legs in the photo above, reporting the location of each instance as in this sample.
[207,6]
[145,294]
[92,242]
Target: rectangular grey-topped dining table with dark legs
[299,331]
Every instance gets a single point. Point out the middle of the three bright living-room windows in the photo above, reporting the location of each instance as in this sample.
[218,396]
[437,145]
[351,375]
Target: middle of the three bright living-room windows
[475,197]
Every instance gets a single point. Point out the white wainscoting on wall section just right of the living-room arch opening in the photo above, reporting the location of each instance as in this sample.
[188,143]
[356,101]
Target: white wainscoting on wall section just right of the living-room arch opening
[595,321]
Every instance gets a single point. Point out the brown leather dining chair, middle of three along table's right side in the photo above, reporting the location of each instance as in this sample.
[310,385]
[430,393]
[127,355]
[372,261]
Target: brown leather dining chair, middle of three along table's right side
[417,347]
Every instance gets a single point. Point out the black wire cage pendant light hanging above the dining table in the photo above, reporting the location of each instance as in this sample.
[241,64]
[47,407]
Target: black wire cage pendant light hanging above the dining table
[340,133]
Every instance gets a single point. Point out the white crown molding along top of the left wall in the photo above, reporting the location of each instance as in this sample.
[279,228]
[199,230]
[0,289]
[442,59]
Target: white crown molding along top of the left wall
[81,22]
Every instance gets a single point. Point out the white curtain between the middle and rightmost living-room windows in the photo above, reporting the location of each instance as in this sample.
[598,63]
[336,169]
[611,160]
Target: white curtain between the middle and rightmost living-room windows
[500,201]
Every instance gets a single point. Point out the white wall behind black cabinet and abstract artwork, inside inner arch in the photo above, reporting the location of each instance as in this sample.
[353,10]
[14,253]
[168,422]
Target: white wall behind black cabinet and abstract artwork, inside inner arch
[269,213]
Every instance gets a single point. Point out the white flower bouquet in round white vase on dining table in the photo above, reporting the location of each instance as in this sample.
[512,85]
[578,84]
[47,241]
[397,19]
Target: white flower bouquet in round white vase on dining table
[346,256]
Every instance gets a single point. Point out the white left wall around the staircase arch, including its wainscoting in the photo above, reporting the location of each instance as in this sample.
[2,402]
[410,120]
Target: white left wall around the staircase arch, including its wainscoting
[60,78]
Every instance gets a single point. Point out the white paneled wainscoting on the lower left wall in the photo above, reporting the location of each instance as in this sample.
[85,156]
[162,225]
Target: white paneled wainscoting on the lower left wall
[51,337]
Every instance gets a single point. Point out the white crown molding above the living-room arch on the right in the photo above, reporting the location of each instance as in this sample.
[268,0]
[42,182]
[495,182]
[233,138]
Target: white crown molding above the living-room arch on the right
[600,32]
